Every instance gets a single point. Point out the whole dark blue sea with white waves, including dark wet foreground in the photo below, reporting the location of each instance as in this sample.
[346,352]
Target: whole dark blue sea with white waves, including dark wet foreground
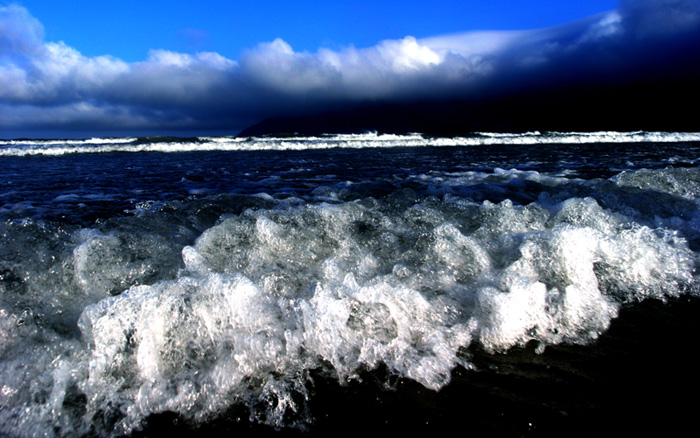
[536,284]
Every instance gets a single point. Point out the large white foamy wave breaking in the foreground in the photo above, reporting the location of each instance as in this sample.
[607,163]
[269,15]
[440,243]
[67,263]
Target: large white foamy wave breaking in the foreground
[247,311]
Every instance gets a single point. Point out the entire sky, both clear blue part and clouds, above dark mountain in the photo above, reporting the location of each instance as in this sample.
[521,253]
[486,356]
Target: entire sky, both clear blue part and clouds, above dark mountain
[86,68]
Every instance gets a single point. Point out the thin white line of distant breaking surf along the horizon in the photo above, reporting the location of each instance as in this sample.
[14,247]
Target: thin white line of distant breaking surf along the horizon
[27,147]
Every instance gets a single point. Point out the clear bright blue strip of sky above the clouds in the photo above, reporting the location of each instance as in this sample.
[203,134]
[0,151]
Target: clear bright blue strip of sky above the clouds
[128,29]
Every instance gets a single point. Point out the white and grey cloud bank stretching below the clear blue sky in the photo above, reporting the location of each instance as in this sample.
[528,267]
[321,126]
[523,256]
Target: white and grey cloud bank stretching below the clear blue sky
[51,87]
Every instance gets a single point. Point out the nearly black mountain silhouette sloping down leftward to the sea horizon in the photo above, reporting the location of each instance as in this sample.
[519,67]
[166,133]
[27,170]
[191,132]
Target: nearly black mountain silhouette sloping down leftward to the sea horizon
[624,107]
